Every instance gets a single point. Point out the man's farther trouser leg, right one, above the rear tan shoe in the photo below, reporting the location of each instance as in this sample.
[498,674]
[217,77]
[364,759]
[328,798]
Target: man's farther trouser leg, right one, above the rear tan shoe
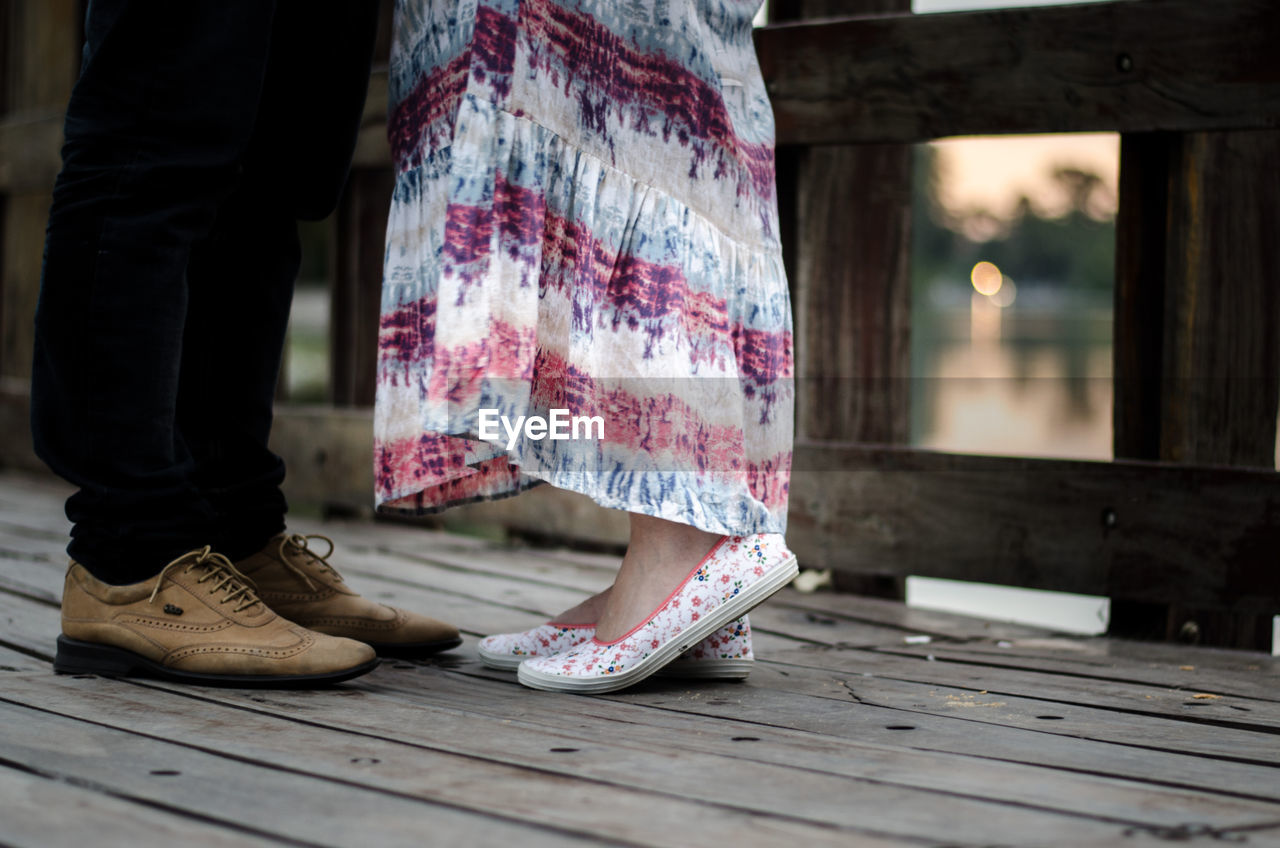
[243,275]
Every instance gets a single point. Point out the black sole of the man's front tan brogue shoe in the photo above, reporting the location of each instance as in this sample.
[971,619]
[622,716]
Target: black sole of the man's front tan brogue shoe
[107,662]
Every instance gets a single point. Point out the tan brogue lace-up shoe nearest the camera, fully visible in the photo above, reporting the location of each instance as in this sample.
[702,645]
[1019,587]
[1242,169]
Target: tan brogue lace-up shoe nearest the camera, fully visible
[196,622]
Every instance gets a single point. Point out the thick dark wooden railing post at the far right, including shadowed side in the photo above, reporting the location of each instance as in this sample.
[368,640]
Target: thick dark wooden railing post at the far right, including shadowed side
[1197,358]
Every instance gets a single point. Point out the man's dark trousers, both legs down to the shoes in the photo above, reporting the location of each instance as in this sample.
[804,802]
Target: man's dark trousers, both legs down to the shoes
[198,135]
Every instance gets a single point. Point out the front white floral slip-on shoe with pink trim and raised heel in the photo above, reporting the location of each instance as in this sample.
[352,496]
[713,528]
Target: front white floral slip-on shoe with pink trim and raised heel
[737,576]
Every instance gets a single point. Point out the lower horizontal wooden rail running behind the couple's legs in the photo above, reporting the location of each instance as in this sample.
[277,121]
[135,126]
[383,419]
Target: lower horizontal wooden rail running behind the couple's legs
[1153,532]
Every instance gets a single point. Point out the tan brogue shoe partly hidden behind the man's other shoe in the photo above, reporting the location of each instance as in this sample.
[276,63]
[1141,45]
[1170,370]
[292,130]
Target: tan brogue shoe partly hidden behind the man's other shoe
[304,587]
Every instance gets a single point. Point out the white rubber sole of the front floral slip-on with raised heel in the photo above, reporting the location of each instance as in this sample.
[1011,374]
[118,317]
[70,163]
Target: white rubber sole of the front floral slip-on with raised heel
[733,609]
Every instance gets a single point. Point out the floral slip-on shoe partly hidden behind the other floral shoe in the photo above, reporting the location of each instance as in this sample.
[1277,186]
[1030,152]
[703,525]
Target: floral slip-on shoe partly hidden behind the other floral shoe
[725,655]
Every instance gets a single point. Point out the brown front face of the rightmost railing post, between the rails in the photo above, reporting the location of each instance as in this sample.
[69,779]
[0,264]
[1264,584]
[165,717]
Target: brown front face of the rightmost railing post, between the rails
[1222,349]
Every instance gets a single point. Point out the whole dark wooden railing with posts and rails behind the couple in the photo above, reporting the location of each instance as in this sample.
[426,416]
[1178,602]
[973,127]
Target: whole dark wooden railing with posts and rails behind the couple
[1182,531]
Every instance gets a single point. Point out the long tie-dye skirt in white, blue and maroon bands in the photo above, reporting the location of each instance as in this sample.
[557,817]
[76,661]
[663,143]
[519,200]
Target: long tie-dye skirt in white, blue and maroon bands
[584,221]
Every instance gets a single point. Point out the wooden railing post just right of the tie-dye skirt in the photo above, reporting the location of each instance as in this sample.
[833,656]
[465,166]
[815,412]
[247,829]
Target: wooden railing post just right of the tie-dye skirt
[847,216]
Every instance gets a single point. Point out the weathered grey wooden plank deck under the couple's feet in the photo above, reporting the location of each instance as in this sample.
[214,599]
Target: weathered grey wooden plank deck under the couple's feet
[851,732]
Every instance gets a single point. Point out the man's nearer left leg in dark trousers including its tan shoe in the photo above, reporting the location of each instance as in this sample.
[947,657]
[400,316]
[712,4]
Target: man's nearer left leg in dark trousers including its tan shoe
[157,135]
